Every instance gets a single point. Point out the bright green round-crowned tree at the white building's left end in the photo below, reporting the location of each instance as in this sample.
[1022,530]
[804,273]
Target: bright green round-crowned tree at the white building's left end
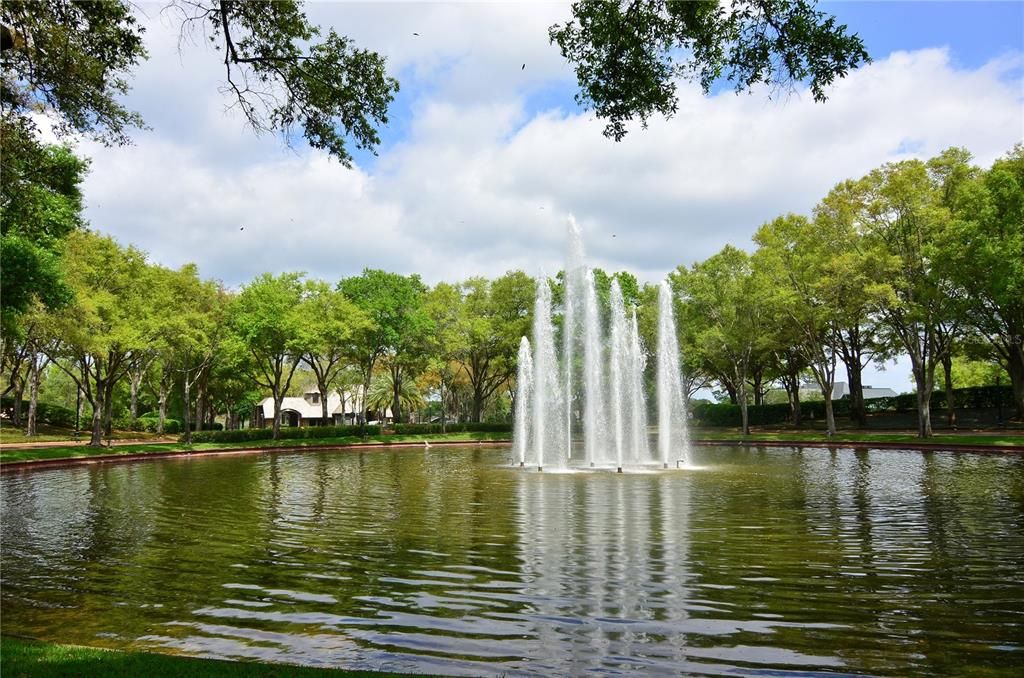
[271,331]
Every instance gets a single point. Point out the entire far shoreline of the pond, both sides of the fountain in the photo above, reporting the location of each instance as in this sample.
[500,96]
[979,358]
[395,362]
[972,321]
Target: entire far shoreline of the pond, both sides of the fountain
[60,462]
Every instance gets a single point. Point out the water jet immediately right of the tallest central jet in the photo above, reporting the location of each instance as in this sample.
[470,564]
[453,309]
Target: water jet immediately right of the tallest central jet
[595,436]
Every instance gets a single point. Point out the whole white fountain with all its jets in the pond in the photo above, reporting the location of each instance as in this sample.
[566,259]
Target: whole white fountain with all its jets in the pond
[594,390]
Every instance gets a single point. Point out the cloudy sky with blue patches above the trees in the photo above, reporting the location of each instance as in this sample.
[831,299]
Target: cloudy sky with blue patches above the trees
[484,160]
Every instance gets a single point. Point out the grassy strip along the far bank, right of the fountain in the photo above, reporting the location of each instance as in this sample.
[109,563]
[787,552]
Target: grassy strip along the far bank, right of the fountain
[1009,439]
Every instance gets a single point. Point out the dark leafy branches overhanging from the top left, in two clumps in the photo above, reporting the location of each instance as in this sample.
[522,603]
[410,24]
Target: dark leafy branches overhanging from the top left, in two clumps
[73,59]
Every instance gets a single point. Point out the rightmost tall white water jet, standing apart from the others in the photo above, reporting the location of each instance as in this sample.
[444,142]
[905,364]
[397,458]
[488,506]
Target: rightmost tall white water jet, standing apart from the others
[671,408]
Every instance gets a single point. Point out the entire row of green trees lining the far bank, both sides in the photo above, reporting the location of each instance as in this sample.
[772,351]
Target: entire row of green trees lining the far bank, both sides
[918,259]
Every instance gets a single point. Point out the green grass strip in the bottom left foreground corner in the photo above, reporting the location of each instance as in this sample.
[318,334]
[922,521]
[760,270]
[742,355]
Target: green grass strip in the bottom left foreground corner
[29,658]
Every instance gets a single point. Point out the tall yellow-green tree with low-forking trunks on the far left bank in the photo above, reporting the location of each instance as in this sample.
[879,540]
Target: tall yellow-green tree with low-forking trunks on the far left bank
[100,333]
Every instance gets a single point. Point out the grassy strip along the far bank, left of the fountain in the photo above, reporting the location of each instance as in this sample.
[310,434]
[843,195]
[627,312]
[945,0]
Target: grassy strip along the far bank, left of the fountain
[76,452]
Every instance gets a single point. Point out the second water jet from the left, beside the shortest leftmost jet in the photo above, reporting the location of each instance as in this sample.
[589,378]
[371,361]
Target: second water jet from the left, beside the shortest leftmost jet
[548,425]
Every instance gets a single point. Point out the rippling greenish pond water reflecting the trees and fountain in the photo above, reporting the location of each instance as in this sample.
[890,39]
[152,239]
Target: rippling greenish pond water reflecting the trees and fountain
[445,561]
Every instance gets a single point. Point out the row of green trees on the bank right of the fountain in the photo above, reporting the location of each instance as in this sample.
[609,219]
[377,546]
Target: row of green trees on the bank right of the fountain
[919,259]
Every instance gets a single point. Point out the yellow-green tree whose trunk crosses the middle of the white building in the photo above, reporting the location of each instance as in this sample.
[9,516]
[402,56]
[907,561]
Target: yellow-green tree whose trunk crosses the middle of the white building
[332,322]
